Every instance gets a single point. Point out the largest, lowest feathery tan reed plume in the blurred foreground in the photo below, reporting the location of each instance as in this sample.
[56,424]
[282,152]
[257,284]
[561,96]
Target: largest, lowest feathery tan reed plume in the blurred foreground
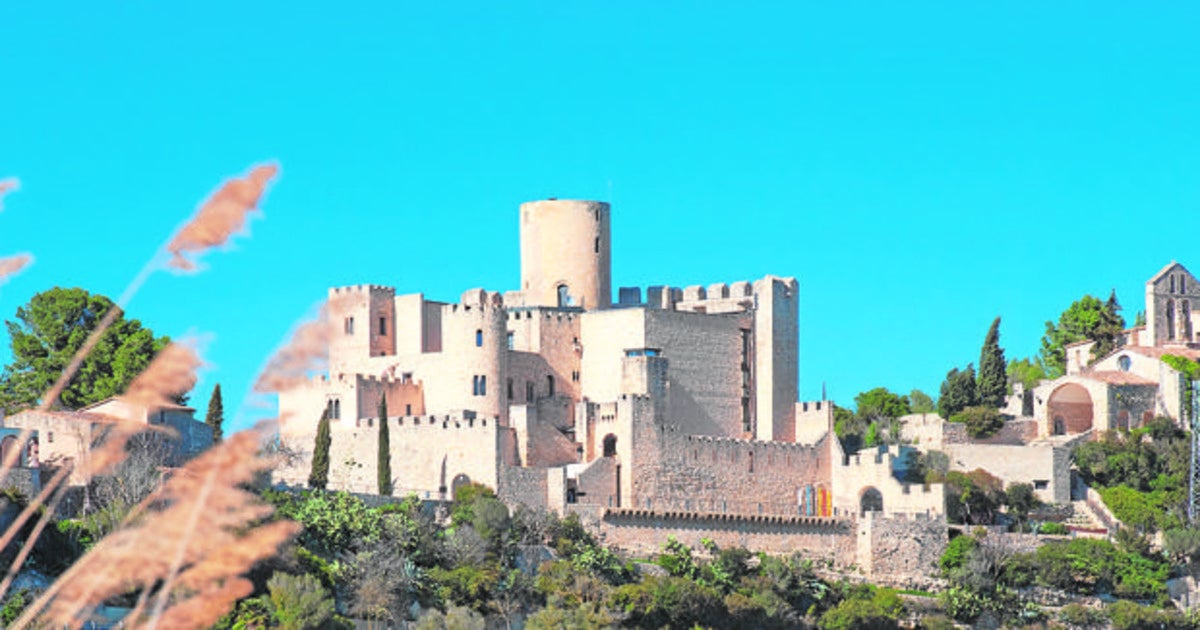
[187,551]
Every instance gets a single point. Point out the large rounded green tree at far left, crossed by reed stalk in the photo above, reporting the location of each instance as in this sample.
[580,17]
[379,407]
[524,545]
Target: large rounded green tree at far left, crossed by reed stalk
[49,331]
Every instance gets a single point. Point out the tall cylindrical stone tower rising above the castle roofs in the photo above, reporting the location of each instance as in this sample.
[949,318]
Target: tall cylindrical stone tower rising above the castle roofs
[566,254]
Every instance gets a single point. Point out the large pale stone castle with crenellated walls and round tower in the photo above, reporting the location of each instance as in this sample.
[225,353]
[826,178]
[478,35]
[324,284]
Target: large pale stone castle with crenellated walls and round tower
[669,411]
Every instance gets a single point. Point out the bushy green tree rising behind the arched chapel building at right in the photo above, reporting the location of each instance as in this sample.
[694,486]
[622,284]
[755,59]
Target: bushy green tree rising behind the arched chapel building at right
[1088,319]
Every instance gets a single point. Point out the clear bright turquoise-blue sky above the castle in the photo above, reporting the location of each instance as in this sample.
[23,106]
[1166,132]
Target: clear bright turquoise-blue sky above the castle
[921,169]
